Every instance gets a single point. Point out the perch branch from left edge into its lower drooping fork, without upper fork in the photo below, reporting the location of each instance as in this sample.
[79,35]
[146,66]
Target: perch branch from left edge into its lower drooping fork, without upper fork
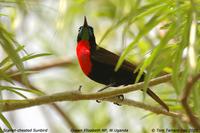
[9,105]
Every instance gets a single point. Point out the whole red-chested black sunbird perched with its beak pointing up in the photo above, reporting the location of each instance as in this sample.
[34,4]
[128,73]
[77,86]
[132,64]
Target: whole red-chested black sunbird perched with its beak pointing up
[98,63]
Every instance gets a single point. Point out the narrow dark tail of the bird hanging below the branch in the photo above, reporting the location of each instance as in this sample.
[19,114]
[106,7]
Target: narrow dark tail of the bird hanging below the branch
[157,99]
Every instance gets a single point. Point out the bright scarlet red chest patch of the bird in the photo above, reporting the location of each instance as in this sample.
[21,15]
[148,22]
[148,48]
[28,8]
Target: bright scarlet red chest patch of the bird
[83,54]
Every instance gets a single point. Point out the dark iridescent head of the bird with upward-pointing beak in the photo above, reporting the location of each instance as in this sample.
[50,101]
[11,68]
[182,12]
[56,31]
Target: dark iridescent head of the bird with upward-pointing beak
[86,33]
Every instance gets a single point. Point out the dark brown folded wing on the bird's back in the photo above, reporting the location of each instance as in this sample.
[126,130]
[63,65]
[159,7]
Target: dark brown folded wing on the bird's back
[106,57]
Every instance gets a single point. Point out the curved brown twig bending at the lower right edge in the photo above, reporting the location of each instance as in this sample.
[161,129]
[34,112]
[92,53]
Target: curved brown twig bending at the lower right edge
[186,93]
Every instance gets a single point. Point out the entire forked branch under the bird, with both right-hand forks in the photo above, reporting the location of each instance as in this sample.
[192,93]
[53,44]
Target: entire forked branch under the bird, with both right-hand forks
[9,105]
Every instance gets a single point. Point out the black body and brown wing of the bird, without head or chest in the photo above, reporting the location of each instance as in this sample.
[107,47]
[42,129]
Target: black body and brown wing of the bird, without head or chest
[104,63]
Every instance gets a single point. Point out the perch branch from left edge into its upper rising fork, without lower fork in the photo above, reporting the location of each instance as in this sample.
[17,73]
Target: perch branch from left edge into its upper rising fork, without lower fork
[9,105]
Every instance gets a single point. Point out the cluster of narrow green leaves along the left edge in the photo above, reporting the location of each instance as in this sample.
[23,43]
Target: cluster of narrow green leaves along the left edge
[12,51]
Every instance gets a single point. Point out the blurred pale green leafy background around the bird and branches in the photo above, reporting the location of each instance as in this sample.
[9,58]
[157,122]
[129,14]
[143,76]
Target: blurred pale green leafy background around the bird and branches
[155,34]
